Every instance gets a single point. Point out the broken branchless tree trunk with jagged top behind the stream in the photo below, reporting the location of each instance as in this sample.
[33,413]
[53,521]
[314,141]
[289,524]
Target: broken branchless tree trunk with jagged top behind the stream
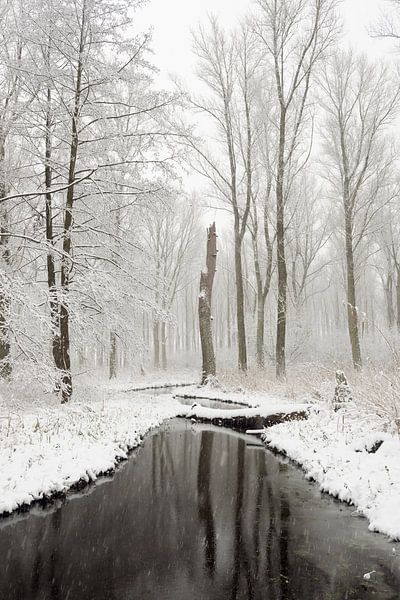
[206,284]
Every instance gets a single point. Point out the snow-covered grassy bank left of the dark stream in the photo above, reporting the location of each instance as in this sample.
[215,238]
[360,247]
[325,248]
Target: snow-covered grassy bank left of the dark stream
[46,448]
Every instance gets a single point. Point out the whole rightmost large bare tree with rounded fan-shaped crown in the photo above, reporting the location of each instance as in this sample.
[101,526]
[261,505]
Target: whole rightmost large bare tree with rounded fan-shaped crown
[361,101]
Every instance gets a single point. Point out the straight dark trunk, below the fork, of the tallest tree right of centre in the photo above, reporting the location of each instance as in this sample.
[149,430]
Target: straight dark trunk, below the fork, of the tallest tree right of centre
[280,254]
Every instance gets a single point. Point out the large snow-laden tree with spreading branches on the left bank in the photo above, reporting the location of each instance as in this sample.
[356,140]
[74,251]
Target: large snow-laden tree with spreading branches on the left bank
[80,168]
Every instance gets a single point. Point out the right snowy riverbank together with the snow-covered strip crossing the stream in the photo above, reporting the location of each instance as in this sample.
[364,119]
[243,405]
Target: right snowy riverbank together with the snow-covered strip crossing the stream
[349,454]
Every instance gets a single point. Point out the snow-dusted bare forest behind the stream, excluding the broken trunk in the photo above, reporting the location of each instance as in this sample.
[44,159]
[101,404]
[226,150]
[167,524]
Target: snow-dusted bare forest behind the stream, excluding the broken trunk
[291,135]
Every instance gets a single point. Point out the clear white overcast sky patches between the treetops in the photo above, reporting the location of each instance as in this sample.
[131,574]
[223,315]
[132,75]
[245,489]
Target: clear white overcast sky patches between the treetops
[173,20]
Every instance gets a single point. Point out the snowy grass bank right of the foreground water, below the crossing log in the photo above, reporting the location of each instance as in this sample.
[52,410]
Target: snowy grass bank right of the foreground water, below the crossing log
[343,454]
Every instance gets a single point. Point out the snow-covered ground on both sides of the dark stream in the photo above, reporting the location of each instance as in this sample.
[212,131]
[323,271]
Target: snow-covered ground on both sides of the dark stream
[47,448]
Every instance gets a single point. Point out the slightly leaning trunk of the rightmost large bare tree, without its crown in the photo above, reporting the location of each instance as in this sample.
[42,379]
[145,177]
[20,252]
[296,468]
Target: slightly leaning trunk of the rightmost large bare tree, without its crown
[352,315]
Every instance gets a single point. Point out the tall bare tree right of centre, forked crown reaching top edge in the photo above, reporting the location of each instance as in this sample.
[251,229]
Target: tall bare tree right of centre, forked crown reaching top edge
[295,35]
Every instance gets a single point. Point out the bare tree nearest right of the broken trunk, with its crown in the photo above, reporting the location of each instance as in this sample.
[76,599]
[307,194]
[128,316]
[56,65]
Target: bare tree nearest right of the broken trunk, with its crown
[218,55]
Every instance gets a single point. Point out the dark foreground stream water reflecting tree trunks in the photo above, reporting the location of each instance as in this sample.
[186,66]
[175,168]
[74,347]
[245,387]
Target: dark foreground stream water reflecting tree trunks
[198,513]
